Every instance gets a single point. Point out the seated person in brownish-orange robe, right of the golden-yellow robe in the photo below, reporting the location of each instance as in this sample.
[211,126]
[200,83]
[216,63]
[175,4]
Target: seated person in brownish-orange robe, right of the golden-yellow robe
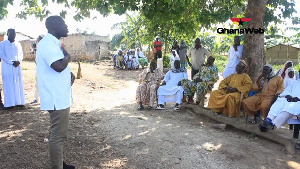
[269,87]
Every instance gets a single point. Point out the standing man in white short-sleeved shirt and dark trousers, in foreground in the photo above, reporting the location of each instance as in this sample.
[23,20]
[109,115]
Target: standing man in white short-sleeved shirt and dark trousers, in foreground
[55,78]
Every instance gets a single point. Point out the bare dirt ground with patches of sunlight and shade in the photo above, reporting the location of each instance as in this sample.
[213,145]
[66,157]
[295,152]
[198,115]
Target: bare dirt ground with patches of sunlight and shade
[107,131]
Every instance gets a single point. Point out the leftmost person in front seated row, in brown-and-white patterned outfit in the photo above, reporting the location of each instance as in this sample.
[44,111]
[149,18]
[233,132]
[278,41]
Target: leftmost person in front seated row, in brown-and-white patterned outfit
[146,92]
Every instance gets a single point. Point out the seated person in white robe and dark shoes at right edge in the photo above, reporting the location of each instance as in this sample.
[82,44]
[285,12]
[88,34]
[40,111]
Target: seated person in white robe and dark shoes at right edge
[286,109]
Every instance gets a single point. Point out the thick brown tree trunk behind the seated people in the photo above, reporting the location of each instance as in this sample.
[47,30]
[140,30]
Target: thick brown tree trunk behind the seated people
[254,43]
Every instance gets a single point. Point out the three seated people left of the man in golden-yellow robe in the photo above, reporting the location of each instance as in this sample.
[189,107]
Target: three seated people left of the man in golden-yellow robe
[174,84]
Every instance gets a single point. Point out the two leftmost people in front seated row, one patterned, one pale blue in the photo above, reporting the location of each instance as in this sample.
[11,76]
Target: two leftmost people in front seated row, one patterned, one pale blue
[152,90]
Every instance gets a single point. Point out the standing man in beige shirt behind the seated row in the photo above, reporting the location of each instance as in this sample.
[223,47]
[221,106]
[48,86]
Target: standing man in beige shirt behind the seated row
[198,54]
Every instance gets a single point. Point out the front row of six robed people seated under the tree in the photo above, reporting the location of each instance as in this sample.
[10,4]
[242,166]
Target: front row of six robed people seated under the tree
[274,97]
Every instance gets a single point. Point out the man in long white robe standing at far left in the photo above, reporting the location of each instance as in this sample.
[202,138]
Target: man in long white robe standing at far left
[11,55]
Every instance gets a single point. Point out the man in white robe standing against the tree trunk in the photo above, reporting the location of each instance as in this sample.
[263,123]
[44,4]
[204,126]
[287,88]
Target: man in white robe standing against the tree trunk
[234,57]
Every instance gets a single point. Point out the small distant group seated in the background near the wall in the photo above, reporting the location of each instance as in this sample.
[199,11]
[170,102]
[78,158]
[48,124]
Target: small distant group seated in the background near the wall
[131,60]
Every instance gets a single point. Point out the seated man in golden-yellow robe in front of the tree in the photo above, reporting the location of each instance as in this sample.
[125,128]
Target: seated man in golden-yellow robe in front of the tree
[226,99]
